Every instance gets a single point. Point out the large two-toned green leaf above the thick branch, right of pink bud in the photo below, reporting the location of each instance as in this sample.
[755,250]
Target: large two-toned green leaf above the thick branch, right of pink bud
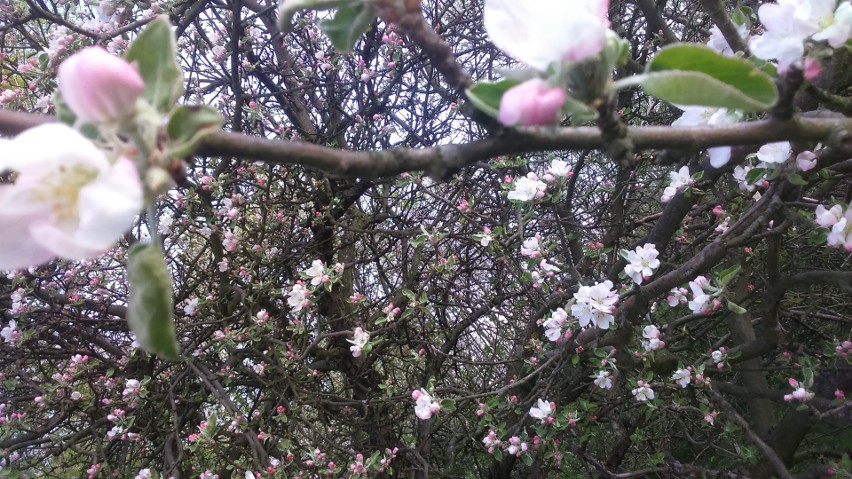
[689,74]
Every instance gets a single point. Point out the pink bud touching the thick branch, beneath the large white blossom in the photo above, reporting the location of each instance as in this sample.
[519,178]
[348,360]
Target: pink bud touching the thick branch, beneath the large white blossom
[531,103]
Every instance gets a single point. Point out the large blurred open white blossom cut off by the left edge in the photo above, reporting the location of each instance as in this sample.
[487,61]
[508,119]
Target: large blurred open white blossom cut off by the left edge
[67,201]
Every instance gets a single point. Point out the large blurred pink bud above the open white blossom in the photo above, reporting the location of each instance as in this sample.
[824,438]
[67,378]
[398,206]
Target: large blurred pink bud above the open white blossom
[99,87]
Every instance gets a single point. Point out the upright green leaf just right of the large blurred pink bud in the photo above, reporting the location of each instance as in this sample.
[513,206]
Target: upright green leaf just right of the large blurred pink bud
[155,52]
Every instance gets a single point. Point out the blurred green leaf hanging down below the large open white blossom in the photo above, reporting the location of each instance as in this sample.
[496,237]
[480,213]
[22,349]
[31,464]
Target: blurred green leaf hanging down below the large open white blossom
[150,305]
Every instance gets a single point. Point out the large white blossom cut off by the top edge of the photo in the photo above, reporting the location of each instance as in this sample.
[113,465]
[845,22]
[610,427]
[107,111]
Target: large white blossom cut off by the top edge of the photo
[540,32]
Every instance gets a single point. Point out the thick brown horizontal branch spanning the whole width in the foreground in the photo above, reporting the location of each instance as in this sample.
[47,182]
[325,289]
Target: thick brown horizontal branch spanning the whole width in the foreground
[444,160]
